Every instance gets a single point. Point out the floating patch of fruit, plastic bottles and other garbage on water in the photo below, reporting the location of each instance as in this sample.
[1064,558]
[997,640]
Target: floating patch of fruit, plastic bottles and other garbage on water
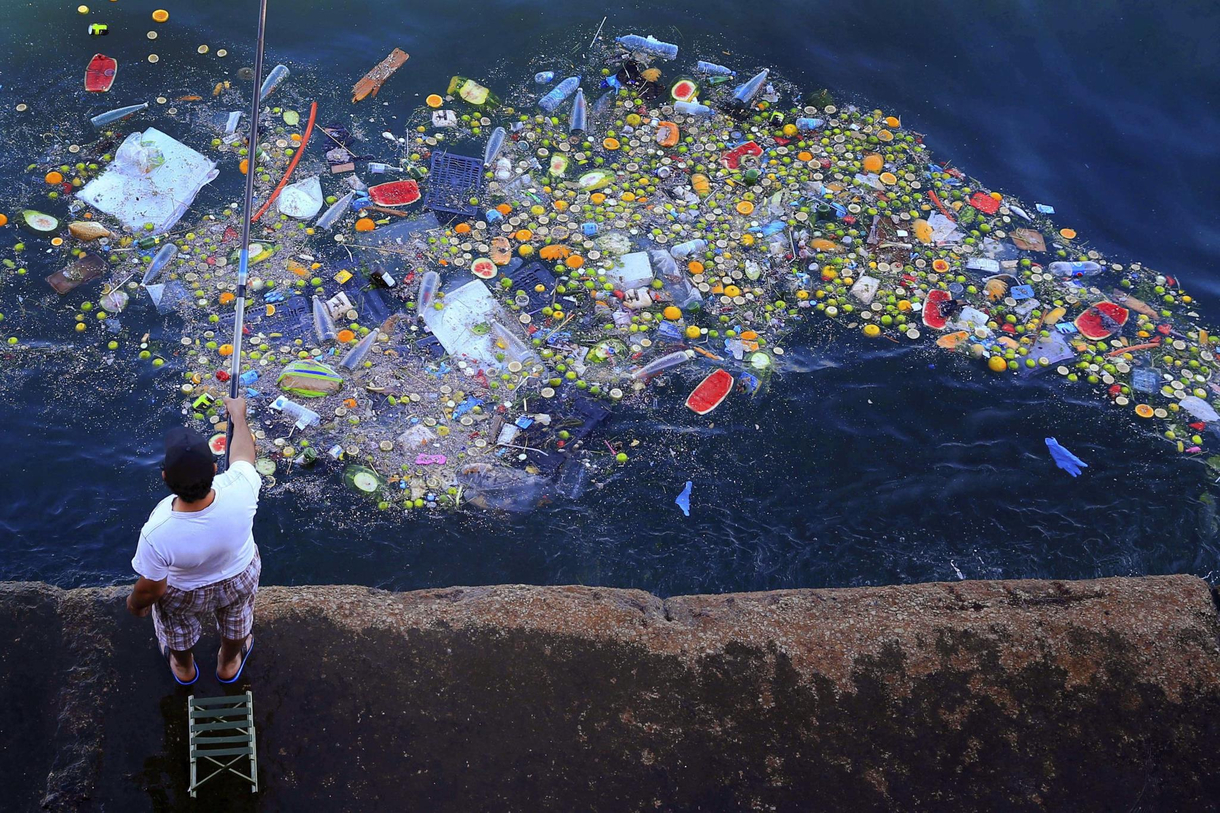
[447,313]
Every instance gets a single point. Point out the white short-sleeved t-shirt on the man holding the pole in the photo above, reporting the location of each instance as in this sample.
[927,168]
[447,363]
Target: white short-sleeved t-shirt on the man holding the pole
[197,549]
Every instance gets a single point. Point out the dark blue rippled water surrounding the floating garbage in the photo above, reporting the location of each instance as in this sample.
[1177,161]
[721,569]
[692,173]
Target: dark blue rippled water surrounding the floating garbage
[858,467]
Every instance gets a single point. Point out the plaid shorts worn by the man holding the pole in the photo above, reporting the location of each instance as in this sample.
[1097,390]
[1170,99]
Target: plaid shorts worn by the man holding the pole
[180,617]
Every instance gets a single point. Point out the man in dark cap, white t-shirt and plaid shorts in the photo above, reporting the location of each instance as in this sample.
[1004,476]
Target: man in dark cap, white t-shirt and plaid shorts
[197,557]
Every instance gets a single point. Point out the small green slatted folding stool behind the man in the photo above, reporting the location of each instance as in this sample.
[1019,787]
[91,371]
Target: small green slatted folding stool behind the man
[223,733]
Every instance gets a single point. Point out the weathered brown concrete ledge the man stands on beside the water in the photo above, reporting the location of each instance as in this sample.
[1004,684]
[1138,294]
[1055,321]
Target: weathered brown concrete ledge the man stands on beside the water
[972,696]
